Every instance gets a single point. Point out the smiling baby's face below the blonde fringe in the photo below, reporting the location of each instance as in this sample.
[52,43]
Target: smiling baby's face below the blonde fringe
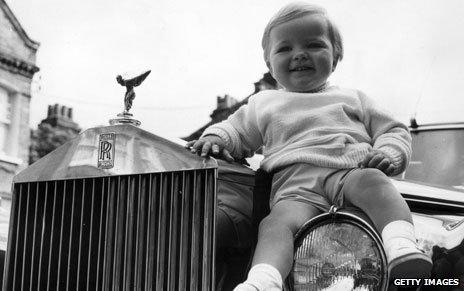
[301,53]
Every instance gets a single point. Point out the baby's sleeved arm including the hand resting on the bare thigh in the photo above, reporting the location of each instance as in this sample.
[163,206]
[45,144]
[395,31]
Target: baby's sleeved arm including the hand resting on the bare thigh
[391,140]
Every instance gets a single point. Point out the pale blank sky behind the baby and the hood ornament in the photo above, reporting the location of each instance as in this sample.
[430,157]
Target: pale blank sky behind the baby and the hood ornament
[405,54]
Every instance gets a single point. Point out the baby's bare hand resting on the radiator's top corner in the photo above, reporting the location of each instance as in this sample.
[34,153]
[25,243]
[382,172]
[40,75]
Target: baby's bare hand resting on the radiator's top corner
[210,144]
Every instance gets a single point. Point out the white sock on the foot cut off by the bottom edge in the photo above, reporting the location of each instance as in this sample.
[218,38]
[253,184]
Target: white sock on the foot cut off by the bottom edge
[263,277]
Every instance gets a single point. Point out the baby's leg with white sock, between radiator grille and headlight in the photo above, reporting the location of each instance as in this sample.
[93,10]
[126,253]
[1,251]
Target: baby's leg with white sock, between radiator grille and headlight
[273,256]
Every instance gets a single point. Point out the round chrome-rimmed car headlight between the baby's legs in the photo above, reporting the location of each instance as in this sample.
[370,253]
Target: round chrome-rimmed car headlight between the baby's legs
[338,252]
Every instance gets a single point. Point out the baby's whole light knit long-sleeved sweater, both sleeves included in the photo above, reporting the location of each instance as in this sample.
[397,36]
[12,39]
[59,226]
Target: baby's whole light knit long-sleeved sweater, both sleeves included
[334,128]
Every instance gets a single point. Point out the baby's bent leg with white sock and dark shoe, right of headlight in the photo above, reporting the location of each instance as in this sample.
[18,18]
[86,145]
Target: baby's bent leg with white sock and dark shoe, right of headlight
[372,191]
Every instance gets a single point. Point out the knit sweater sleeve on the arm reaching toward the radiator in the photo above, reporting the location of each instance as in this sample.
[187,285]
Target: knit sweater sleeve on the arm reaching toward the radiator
[240,131]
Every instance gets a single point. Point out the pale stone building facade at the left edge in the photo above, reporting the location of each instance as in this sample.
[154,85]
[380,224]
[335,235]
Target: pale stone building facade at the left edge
[17,67]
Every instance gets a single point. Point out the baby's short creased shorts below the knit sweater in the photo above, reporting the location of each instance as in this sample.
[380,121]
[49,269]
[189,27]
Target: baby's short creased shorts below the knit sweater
[318,186]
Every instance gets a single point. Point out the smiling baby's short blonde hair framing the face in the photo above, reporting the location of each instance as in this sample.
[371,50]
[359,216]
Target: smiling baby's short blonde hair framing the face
[297,10]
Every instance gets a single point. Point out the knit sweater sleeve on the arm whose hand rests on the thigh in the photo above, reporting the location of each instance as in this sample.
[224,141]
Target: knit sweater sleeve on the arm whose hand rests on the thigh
[388,134]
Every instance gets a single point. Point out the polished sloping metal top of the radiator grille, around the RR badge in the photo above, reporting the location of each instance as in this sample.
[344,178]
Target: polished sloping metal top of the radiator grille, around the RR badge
[136,152]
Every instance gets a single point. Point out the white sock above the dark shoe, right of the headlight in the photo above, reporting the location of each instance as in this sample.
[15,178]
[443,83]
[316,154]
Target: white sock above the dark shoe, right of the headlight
[399,239]
